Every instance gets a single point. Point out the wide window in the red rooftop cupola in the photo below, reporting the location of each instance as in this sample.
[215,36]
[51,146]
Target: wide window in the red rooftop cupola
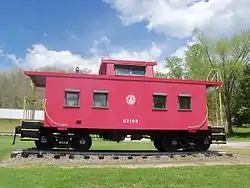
[130,70]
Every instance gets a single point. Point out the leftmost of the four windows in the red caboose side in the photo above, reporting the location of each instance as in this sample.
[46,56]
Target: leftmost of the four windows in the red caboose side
[72,98]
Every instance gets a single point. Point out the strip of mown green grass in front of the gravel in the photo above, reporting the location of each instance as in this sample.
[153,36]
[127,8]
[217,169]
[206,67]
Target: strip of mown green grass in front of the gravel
[188,177]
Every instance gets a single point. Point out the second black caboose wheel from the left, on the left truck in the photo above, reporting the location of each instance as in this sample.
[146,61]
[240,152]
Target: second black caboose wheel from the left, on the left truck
[81,142]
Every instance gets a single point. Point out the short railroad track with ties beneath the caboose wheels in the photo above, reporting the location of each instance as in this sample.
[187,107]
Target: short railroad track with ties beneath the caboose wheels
[113,154]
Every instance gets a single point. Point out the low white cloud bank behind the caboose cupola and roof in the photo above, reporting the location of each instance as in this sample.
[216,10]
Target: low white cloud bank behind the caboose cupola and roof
[39,56]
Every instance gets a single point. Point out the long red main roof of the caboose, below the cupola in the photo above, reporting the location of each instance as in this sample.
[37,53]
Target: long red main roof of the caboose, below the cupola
[39,78]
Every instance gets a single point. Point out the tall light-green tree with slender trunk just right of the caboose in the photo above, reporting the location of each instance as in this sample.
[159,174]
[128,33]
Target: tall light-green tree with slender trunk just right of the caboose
[230,57]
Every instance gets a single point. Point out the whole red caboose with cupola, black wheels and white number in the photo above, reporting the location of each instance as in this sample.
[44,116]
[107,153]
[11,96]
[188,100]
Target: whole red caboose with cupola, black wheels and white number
[123,99]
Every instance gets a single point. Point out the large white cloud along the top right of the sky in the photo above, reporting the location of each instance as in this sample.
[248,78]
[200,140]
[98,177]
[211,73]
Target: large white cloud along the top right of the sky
[179,18]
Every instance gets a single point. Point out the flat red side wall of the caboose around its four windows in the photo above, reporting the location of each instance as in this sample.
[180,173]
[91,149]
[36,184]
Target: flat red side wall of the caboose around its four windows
[118,90]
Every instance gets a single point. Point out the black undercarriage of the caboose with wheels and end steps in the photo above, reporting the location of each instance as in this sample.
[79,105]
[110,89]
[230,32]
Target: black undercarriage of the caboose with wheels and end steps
[81,139]
